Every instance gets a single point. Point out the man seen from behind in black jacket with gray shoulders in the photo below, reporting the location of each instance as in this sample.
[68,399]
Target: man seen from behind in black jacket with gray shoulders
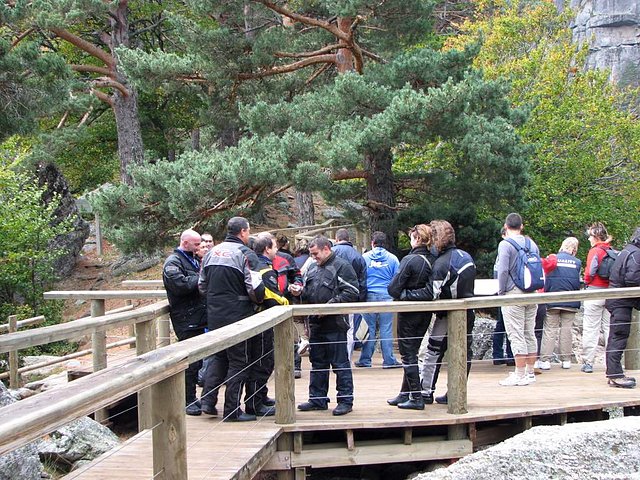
[226,281]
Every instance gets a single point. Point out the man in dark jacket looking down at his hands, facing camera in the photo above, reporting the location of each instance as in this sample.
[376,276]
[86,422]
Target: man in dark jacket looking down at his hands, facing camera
[329,280]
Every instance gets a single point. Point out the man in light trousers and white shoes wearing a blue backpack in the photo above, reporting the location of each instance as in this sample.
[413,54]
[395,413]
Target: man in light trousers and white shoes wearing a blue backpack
[519,271]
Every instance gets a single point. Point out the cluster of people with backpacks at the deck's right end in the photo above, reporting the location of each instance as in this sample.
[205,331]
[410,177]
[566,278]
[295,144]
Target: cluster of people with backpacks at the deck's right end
[562,272]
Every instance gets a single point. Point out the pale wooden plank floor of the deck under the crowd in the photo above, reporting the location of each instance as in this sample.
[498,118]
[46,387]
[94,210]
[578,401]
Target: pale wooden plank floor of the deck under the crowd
[218,450]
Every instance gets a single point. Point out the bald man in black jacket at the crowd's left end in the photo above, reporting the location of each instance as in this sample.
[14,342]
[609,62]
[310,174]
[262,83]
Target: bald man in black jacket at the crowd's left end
[187,308]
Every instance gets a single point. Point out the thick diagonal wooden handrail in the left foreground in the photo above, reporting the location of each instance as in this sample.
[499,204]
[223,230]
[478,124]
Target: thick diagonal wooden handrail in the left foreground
[24,421]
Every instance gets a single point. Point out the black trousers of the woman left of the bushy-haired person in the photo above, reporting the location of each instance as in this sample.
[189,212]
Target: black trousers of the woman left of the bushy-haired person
[411,330]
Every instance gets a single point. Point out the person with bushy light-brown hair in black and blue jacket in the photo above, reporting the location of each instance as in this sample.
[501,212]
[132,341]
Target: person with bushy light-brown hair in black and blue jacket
[453,276]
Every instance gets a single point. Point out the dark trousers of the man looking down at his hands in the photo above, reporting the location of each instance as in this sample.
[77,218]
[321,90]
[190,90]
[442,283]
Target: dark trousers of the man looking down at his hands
[329,350]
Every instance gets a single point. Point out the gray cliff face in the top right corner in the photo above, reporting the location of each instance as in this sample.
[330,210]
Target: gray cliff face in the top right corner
[612,30]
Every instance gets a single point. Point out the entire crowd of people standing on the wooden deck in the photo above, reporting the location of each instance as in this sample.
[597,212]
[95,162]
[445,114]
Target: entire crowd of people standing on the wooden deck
[209,287]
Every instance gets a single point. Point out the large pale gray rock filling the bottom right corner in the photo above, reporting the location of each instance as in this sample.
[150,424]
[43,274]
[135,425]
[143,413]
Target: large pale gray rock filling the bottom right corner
[585,451]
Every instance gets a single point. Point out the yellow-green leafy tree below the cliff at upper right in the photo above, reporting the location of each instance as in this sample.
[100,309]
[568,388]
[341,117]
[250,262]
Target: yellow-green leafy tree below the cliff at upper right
[586,144]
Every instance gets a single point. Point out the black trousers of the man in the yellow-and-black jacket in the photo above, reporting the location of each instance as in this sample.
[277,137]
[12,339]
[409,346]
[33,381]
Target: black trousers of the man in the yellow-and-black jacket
[262,364]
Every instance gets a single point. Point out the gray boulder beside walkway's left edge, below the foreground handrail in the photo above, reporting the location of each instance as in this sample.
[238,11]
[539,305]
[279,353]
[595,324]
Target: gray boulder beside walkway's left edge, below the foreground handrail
[78,442]
